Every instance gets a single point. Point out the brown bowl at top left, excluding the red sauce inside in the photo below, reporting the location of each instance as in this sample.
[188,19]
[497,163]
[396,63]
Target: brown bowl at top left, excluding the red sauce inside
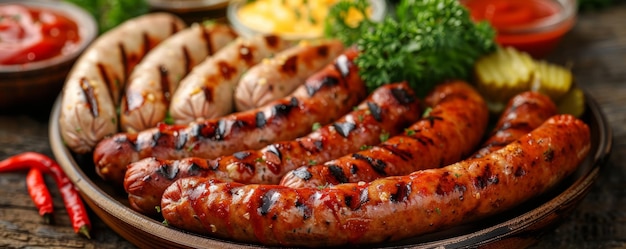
[40,81]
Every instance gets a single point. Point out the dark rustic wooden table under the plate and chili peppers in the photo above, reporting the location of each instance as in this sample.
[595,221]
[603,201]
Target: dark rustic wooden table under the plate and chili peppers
[596,49]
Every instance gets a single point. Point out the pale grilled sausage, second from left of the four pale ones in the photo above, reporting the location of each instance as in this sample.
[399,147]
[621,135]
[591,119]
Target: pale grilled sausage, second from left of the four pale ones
[150,85]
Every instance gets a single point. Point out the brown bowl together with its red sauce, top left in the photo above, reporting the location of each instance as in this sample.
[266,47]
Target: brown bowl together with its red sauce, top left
[39,42]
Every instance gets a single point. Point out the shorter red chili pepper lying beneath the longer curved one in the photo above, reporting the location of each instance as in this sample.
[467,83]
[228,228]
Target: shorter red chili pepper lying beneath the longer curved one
[38,191]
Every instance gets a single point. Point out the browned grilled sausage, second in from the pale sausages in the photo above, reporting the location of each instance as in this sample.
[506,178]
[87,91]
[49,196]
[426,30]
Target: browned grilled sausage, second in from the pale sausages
[388,110]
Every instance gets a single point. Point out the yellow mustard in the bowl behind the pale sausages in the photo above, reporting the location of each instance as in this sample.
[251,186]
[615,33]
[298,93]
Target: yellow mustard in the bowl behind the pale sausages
[295,18]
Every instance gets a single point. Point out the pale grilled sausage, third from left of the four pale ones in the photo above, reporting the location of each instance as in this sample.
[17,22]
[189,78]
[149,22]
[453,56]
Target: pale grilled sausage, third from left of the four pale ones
[207,91]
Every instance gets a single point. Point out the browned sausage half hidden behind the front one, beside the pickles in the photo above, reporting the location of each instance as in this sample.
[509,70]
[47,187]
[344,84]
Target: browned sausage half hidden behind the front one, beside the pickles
[524,112]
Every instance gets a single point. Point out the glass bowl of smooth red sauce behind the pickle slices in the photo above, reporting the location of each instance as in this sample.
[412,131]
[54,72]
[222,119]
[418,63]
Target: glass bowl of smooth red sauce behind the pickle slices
[533,26]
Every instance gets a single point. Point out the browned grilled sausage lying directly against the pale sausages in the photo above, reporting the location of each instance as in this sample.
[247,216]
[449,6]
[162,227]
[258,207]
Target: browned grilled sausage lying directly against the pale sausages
[325,96]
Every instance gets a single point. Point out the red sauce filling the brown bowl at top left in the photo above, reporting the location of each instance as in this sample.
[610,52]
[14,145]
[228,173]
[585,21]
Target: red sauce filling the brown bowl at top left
[30,34]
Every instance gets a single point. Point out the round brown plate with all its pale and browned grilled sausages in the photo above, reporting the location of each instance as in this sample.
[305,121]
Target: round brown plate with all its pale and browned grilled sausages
[290,150]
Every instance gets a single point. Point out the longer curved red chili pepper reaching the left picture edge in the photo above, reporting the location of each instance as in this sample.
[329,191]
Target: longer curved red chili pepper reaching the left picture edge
[73,203]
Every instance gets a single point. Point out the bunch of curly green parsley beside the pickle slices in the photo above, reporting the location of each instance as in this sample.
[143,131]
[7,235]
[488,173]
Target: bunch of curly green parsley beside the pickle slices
[424,42]
